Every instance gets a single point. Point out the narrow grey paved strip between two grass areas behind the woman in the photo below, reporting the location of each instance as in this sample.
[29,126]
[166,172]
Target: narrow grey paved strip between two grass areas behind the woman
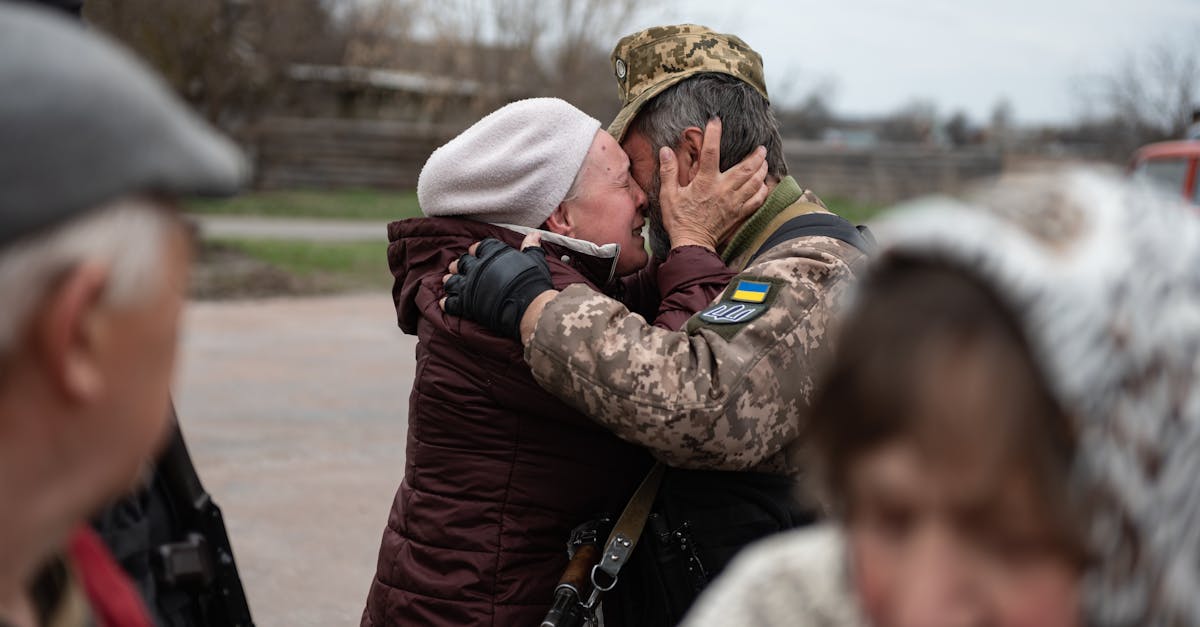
[229,226]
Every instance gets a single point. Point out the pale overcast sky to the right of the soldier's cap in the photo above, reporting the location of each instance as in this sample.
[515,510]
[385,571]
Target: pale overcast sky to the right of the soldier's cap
[961,55]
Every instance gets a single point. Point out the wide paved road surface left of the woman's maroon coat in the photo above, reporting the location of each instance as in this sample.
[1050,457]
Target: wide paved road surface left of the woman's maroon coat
[296,415]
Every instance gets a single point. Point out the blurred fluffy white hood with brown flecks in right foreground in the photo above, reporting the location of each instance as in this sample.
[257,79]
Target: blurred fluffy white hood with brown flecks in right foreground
[1103,276]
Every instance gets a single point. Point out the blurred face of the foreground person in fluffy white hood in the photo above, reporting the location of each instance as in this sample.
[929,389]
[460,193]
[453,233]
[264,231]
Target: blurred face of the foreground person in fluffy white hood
[949,542]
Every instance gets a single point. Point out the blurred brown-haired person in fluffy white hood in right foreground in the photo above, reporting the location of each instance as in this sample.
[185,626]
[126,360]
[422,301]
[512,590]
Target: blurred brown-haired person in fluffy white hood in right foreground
[1010,432]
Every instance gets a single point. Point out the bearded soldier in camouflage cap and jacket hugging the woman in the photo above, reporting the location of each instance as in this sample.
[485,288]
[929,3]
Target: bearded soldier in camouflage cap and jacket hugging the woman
[731,391]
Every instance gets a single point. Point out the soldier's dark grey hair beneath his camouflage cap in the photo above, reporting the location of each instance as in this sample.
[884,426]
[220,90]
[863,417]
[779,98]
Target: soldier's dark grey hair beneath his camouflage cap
[747,118]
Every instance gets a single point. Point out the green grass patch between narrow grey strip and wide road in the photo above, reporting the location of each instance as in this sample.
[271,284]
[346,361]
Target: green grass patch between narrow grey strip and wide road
[325,266]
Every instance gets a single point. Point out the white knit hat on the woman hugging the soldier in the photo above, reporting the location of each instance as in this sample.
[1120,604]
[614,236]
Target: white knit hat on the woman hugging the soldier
[515,166]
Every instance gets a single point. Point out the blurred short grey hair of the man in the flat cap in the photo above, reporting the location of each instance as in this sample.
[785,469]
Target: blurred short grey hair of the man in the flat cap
[128,236]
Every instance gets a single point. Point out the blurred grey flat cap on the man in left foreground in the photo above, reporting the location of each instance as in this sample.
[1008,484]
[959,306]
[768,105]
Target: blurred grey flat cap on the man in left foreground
[83,123]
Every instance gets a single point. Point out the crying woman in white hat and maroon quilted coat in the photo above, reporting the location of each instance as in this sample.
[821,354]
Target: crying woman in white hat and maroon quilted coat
[497,471]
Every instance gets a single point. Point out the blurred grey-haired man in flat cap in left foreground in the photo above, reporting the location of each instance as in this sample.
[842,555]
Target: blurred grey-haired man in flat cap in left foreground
[94,264]
